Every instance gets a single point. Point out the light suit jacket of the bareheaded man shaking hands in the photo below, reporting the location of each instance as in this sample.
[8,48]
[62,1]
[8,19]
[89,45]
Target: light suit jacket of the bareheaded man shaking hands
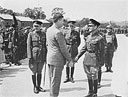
[57,49]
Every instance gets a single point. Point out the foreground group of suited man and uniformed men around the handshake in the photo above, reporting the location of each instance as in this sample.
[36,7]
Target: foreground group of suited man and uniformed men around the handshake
[59,46]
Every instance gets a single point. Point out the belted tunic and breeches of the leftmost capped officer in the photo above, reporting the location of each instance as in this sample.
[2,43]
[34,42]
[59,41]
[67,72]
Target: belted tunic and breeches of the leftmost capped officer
[36,49]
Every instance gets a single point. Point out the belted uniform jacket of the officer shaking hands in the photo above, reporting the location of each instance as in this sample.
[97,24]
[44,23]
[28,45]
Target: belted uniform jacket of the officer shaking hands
[93,48]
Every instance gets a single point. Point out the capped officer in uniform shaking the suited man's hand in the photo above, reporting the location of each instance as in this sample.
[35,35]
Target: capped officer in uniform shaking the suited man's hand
[92,50]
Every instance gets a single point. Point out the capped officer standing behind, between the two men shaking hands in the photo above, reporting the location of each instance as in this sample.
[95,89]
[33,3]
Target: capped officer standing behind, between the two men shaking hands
[73,42]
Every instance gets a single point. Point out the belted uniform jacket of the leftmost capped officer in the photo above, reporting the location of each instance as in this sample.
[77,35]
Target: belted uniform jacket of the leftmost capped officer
[36,46]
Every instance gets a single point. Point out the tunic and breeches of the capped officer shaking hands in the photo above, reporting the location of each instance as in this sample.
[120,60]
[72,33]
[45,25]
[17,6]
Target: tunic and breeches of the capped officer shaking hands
[92,50]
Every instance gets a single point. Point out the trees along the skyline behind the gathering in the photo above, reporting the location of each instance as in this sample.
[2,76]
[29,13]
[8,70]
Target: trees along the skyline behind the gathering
[38,13]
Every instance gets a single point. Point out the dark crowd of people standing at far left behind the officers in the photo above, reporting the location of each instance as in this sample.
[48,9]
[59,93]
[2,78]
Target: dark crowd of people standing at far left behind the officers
[14,44]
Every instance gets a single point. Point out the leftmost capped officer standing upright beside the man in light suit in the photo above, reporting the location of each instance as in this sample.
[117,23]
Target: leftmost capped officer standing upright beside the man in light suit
[36,51]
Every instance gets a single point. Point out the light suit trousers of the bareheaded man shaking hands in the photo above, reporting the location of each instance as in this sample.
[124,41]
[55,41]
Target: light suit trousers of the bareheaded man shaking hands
[55,73]
